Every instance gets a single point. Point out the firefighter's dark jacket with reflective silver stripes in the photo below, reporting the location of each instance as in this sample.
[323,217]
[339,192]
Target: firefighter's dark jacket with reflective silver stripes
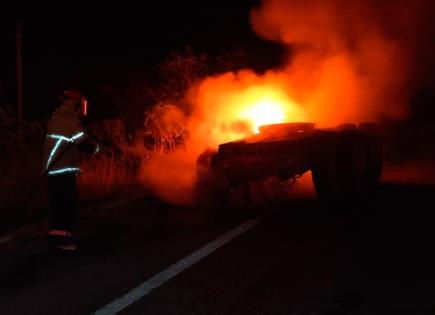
[65,132]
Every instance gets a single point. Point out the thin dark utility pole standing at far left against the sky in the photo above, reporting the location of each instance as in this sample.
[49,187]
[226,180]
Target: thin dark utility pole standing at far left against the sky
[19,81]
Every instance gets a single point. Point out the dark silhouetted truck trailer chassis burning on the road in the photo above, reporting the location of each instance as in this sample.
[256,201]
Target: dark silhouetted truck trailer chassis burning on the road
[345,162]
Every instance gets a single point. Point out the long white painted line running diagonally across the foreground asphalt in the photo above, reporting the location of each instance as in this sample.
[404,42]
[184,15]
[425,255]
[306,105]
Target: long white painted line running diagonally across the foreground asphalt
[146,287]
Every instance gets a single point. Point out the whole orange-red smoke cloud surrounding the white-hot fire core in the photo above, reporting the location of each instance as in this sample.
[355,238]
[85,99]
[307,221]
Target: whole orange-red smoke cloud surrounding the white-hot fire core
[349,61]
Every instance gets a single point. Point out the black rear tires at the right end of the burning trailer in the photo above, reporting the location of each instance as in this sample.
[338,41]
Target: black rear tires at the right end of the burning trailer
[348,165]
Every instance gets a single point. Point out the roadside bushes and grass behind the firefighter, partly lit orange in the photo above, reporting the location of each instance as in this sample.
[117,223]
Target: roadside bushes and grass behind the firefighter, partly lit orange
[115,172]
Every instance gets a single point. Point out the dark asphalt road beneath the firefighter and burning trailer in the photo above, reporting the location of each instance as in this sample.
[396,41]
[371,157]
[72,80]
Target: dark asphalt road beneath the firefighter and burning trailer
[286,257]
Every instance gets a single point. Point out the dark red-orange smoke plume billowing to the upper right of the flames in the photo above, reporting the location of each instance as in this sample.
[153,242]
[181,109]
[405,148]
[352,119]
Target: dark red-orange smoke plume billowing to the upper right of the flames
[351,60]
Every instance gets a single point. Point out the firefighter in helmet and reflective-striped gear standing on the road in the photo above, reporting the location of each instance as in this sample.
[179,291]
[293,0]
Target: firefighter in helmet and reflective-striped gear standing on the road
[66,137]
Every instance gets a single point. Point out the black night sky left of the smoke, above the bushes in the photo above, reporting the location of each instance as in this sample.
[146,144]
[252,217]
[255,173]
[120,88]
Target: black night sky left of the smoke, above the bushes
[89,45]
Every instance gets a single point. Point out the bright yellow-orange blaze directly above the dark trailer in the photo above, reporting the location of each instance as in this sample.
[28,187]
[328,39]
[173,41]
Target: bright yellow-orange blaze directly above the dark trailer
[234,105]
